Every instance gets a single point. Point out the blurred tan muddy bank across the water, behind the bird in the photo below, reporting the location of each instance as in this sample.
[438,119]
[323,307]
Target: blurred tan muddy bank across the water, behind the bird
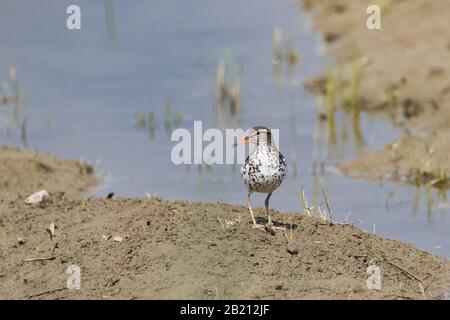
[401,71]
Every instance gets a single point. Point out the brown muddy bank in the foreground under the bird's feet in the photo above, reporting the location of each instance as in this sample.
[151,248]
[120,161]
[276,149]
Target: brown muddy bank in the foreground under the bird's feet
[152,248]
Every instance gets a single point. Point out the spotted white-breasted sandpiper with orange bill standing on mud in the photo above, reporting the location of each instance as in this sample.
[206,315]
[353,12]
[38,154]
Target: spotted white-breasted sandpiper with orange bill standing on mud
[263,171]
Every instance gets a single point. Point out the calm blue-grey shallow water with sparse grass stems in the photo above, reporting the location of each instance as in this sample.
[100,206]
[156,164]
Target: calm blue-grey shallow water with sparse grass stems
[85,88]
